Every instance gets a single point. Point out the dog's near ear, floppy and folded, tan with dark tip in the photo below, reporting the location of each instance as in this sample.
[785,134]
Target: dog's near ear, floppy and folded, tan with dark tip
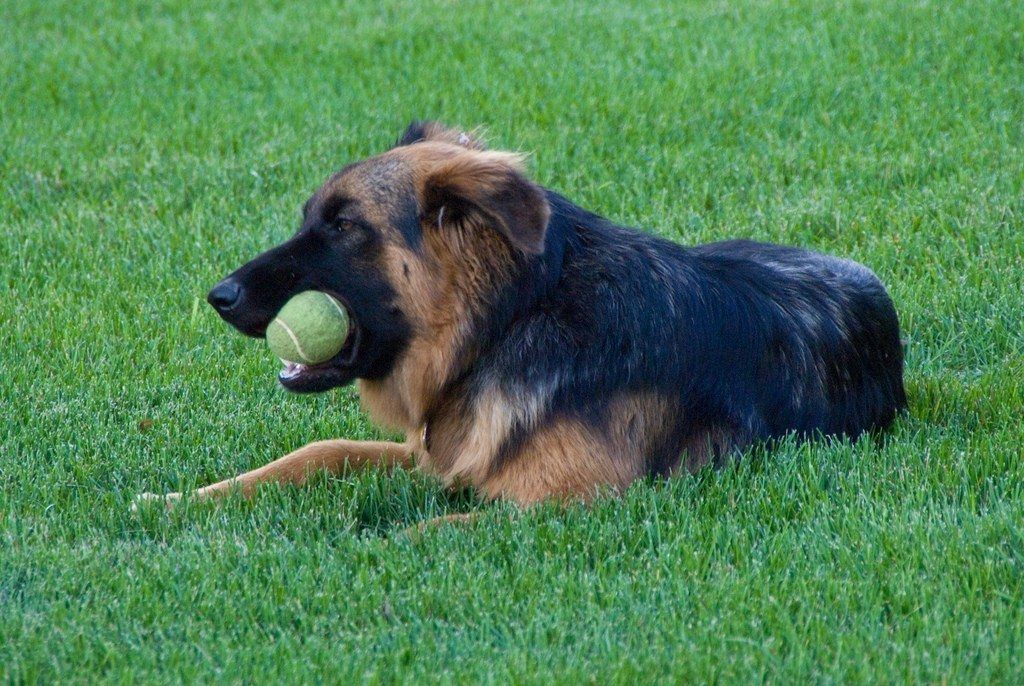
[490,189]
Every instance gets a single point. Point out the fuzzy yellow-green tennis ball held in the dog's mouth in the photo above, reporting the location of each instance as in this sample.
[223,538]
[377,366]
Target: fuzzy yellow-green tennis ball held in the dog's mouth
[311,329]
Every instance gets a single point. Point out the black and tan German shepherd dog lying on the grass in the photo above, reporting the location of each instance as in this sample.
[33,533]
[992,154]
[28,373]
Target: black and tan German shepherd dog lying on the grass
[532,350]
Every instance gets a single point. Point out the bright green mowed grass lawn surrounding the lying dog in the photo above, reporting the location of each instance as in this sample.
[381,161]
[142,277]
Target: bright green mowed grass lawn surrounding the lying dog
[147,149]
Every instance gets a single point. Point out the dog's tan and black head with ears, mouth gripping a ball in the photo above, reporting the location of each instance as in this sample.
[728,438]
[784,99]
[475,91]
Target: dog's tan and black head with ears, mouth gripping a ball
[391,237]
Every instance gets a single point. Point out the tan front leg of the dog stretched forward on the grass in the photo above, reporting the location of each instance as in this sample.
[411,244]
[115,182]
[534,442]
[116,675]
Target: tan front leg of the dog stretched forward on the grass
[295,468]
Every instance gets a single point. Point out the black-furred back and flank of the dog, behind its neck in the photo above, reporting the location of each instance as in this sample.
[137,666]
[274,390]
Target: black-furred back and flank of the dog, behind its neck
[729,344]
